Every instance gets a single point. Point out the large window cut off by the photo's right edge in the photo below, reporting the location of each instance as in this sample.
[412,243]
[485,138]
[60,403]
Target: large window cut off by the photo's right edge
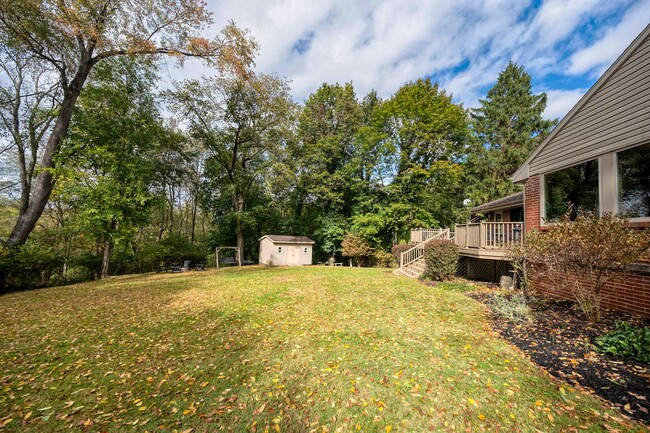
[634,182]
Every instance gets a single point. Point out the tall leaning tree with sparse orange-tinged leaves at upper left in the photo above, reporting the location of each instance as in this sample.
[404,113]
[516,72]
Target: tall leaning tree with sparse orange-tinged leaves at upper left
[71,38]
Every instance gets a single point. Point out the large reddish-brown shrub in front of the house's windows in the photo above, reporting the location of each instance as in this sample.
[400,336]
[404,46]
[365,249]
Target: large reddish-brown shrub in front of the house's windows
[585,254]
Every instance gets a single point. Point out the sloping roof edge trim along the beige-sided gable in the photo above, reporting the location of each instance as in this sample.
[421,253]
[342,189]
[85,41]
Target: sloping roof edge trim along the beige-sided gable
[522,172]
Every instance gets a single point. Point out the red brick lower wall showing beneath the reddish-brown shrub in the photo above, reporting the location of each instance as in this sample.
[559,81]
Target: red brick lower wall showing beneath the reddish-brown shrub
[629,292]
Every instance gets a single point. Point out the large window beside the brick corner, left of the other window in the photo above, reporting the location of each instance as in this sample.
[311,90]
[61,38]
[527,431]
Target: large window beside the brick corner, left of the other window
[574,187]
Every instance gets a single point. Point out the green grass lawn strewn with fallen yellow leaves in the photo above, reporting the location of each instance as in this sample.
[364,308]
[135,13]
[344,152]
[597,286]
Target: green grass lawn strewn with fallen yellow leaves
[282,349]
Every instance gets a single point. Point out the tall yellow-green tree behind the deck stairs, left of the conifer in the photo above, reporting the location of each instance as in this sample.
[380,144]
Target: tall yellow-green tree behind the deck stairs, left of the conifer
[428,133]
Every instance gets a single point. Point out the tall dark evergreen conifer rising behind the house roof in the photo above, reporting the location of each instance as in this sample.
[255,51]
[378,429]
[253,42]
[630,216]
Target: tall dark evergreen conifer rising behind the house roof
[507,127]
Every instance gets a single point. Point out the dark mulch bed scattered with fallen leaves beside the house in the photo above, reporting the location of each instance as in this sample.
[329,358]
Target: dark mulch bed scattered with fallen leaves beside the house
[561,341]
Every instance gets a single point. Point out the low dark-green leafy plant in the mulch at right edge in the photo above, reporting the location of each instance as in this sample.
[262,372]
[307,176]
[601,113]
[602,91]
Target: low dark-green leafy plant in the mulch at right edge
[626,341]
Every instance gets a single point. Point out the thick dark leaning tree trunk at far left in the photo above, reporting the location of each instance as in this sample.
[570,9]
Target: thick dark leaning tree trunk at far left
[45,182]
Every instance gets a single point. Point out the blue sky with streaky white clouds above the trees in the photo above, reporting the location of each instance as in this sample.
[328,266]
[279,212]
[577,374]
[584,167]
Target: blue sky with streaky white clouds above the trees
[564,44]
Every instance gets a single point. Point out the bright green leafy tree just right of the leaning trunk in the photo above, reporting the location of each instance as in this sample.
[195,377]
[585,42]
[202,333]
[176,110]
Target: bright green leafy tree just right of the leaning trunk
[106,170]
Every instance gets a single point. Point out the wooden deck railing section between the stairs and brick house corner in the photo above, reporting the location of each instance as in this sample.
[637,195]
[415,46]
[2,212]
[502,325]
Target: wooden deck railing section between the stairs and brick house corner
[489,235]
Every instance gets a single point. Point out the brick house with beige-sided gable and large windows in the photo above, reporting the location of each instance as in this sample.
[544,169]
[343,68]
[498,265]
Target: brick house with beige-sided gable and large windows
[598,159]
